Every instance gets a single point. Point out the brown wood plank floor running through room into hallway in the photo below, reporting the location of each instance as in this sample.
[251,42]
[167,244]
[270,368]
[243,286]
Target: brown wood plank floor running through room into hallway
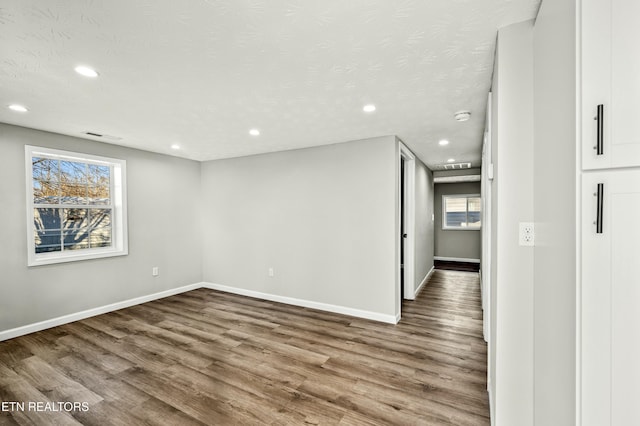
[207,357]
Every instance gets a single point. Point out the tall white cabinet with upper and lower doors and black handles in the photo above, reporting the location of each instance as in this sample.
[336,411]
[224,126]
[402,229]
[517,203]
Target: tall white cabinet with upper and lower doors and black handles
[610,258]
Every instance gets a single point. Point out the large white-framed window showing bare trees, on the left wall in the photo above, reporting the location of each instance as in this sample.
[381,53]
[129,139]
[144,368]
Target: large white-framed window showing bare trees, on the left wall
[76,206]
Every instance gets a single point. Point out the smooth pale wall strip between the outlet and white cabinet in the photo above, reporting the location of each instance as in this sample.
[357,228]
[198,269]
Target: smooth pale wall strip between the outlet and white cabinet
[555,213]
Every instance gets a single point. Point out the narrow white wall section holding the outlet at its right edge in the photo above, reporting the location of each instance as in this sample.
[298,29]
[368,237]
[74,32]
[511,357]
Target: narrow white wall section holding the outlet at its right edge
[512,202]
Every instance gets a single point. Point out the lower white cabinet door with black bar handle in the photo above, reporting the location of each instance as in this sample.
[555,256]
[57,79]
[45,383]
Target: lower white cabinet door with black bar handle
[610,311]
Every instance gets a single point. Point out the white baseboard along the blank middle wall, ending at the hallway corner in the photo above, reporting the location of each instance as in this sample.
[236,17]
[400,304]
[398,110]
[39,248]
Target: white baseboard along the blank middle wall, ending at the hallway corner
[390,319]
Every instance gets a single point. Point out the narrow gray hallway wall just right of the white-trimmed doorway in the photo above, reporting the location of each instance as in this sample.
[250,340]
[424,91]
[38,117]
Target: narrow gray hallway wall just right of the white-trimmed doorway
[424,226]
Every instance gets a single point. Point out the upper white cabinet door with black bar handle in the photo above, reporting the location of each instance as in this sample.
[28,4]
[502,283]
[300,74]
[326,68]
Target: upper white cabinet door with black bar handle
[610,71]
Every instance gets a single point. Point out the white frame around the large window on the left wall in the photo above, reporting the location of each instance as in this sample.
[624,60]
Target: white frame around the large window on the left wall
[119,240]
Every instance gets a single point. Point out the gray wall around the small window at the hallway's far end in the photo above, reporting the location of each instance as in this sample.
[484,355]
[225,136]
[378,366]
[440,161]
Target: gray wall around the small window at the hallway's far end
[465,244]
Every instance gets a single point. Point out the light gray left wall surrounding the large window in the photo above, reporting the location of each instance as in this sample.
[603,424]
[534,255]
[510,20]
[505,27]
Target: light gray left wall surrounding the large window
[164,231]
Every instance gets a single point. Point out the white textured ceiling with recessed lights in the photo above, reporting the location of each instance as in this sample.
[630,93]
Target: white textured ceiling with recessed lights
[201,73]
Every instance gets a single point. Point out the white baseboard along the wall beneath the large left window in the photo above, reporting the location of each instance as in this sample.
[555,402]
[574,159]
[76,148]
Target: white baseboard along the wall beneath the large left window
[65,319]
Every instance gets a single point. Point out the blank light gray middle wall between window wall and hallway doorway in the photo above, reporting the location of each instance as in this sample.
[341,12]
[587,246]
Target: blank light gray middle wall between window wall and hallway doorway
[324,218]
